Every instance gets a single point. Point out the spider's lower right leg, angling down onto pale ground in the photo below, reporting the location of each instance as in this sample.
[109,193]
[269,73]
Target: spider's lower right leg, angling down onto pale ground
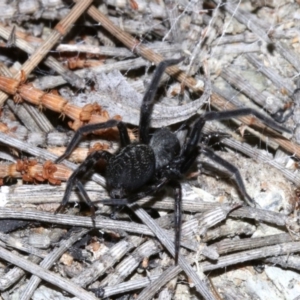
[233,170]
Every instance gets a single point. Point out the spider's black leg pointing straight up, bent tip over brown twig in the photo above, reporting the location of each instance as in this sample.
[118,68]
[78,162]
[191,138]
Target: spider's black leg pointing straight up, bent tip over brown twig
[147,103]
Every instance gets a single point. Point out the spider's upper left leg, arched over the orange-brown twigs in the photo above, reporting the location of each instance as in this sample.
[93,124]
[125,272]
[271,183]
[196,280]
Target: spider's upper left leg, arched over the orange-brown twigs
[124,138]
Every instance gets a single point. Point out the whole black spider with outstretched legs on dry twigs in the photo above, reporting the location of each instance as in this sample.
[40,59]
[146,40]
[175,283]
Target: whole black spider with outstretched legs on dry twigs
[142,168]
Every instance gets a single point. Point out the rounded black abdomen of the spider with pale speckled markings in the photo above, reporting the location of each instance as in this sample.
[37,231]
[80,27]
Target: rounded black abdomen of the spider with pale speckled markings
[130,169]
